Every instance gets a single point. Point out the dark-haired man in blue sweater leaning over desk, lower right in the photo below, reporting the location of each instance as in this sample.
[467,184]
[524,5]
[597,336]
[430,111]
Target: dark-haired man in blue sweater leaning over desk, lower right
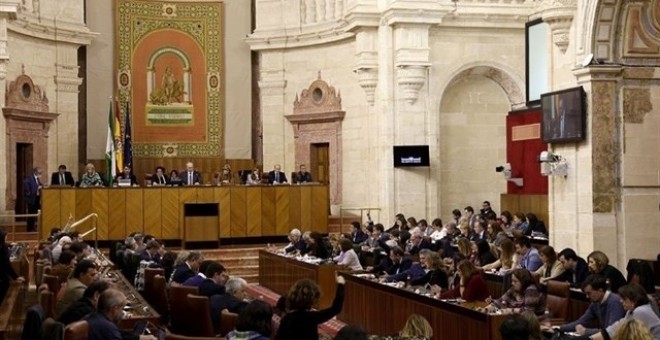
[605,307]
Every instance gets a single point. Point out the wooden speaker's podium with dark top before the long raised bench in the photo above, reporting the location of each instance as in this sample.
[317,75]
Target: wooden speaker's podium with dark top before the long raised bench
[200,222]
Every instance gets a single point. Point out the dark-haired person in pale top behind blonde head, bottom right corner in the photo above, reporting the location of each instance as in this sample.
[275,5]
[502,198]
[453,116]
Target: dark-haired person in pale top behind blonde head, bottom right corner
[637,306]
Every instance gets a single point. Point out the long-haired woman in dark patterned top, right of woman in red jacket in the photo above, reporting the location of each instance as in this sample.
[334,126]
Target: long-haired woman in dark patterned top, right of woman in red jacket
[523,295]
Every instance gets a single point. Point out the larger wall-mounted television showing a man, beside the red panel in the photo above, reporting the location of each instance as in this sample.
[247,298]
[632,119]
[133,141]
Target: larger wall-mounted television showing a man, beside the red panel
[564,116]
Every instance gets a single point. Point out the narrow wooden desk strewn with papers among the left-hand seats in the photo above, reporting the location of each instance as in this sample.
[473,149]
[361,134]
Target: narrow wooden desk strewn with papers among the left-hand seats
[141,311]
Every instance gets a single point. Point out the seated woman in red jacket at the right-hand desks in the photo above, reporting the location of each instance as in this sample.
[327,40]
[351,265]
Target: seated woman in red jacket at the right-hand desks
[472,285]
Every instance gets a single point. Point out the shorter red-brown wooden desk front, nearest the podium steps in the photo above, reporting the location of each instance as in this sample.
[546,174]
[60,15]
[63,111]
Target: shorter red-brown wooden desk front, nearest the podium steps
[279,273]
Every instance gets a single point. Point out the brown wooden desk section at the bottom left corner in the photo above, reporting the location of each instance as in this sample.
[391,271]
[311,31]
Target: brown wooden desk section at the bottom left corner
[12,310]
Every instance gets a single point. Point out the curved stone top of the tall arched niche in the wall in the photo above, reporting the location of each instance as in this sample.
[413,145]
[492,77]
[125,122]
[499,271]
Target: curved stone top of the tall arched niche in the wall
[511,84]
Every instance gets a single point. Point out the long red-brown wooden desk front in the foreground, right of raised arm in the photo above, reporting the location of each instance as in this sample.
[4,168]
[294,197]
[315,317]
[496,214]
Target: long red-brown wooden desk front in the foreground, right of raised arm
[383,310]
